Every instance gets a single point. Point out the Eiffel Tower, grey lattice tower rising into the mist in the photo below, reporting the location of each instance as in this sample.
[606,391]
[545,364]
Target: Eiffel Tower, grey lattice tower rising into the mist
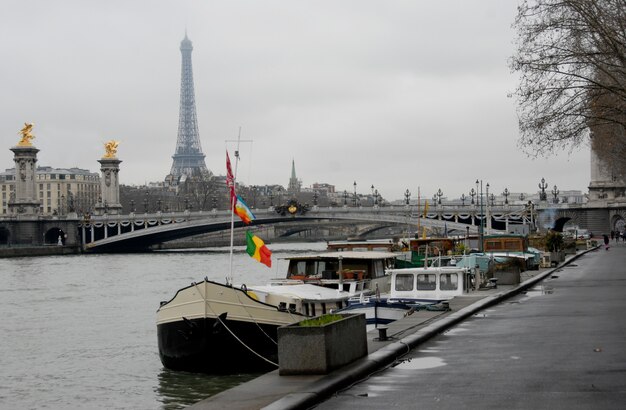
[188,158]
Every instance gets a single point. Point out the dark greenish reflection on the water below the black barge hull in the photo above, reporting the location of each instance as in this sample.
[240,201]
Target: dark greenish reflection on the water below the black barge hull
[180,389]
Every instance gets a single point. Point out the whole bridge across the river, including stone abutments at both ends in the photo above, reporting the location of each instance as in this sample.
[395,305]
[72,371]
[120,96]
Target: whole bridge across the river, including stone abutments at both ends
[142,231]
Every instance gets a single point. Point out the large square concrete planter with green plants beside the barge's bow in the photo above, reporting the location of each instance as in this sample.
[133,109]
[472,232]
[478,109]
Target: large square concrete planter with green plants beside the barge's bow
[321,349]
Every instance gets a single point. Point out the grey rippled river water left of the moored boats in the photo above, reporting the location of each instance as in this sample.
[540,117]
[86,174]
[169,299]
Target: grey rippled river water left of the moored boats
[79,331]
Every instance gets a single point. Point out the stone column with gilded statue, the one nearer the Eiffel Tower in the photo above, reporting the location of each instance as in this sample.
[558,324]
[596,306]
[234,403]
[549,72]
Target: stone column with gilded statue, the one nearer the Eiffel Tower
[109,182]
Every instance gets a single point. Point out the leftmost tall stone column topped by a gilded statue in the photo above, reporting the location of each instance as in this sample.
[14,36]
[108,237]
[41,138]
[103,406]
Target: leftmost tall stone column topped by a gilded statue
[24,201]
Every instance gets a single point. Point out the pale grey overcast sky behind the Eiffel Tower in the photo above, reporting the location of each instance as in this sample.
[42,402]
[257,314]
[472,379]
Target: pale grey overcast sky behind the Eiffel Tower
[395,94]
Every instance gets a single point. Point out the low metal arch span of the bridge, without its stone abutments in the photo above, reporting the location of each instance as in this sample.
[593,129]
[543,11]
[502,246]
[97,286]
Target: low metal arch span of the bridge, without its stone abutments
[140,231]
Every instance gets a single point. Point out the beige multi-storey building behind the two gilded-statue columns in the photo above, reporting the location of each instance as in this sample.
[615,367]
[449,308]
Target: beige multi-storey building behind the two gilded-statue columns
[59,190]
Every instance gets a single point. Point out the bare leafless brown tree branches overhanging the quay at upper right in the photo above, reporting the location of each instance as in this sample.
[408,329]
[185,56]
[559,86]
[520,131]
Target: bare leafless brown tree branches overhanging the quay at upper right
[571,61]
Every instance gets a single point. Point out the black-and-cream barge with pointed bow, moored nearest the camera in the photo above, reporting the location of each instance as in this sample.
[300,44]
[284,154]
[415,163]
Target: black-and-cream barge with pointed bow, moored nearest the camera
[217,328]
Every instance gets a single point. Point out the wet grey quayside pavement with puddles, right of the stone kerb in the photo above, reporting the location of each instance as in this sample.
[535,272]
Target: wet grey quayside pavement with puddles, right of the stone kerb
[559,345]
